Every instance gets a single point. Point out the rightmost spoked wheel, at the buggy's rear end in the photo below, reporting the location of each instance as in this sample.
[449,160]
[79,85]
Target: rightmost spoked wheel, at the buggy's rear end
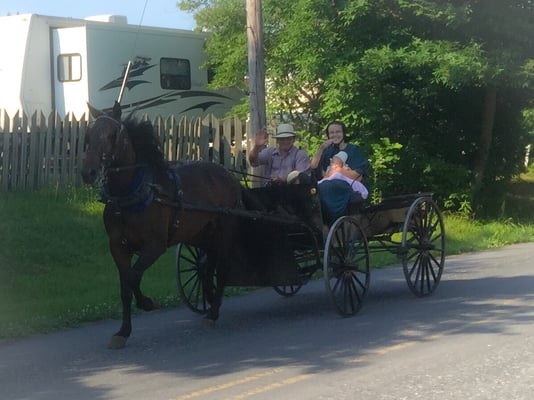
[423,246]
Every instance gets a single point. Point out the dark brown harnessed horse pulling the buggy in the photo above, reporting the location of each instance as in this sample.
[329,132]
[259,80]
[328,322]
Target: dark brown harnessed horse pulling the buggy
[150,207]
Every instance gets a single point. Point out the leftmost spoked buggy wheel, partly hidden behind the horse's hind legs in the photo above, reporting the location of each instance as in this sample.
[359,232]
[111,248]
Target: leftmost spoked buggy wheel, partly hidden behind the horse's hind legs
[190,275]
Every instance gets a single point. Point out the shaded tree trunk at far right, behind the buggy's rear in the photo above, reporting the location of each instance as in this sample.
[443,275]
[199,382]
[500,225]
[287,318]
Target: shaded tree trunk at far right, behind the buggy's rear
[485,139]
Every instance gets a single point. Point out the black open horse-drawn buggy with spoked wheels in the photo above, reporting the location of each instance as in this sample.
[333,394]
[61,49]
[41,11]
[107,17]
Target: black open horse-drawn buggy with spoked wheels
[284,242]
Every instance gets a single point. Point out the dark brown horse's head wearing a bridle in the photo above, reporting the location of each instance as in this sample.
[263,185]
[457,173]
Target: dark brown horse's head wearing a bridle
[101,140]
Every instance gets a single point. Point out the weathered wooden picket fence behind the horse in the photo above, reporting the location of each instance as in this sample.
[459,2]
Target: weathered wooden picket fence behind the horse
[40,151]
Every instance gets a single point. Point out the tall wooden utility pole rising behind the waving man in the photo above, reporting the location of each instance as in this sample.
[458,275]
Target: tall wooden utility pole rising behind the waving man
[256,67]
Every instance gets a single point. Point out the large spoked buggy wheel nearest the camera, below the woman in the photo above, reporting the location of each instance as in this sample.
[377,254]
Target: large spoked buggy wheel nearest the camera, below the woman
[346,265]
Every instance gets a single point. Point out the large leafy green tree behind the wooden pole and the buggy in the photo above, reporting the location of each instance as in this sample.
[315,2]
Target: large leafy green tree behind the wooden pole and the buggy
[449,80]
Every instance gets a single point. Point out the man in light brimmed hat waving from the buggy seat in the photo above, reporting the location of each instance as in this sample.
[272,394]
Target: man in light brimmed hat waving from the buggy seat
[279,161]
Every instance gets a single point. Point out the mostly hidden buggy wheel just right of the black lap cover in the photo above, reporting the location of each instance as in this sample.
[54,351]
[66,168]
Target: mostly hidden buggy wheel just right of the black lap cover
[307,259]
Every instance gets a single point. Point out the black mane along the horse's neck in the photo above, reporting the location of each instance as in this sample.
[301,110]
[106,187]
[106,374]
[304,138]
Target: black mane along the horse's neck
[146,143]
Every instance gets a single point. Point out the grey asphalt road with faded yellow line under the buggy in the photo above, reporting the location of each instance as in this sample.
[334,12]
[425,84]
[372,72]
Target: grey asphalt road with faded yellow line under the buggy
[473,339]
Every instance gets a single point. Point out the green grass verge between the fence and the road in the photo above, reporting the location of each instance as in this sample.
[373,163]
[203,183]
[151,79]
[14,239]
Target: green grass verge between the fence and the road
[56,271]
